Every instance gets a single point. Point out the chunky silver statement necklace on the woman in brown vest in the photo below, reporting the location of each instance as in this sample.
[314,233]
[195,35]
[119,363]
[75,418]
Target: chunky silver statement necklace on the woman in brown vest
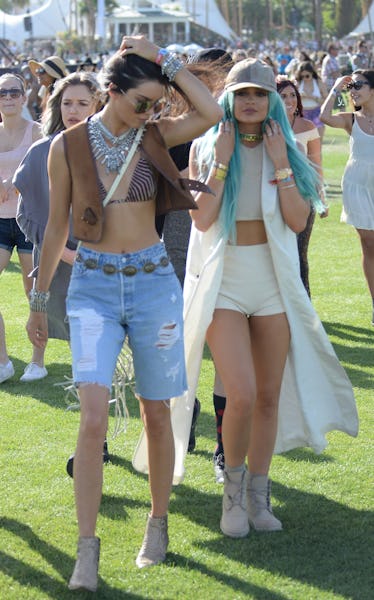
[113,155]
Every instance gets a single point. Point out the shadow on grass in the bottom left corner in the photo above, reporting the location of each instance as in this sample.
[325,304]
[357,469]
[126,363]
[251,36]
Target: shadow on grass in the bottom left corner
[32,577]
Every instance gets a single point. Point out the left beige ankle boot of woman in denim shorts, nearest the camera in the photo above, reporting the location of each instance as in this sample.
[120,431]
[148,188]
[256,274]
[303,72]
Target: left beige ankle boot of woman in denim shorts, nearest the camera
[87,565]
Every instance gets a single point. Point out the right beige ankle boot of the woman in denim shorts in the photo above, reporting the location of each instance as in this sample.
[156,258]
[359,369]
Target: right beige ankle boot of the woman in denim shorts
[155,542]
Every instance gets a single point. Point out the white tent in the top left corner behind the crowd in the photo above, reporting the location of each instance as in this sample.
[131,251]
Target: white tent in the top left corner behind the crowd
[51,18]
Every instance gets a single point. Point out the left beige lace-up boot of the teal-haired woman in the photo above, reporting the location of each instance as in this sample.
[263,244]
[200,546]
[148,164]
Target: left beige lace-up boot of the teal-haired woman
[234,520]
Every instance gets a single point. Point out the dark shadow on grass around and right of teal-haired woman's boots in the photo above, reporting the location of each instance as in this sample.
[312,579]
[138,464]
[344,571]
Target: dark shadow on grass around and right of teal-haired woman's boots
[324,544]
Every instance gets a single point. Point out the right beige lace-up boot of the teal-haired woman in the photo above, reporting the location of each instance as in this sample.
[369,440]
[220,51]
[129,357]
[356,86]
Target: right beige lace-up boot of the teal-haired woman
[260,513]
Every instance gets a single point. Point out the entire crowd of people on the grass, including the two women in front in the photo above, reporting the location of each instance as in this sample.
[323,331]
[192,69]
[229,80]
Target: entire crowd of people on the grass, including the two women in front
[207,243]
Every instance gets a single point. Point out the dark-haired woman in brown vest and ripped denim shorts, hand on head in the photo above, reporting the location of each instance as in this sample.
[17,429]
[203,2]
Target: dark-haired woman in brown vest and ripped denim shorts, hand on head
[115,172]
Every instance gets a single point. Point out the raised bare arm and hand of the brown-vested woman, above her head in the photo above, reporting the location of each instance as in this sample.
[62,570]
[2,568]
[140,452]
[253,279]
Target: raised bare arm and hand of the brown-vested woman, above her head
[205,113]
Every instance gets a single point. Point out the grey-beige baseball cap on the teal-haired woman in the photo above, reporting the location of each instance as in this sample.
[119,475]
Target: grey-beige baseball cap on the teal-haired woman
[250,72]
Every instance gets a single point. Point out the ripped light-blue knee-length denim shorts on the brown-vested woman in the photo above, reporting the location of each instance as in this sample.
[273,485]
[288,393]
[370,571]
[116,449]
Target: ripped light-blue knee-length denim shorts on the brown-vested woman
[146,307]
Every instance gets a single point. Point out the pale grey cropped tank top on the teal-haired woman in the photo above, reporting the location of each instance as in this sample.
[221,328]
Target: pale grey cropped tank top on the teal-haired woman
[249,199]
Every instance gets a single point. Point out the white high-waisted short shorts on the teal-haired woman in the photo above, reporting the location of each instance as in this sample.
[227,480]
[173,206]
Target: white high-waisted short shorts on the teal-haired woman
[249,284]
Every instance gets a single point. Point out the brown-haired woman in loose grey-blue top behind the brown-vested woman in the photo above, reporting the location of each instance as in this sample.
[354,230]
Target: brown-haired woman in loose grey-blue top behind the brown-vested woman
[73,99]
